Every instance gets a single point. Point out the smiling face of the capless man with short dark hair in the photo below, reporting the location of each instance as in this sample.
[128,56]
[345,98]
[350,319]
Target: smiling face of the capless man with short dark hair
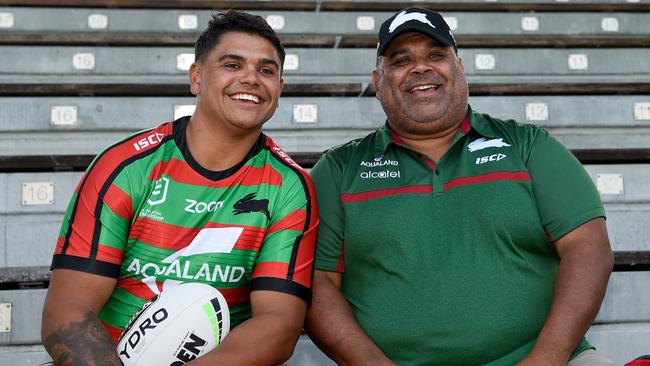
[238,83]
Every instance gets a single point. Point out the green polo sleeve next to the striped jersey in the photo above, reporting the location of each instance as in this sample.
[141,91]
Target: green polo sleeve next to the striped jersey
[327,175]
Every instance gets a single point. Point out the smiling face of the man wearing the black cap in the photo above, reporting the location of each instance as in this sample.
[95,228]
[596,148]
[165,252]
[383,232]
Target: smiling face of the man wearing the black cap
[421,85]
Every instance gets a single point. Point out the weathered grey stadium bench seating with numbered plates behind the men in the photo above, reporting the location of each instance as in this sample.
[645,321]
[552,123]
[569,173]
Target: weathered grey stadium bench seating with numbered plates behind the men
[77,75]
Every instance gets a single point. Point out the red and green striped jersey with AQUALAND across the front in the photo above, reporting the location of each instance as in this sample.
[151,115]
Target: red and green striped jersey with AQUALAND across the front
[146,213]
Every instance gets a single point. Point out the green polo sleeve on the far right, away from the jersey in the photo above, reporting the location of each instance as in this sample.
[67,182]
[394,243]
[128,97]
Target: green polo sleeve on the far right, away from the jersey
[565,194]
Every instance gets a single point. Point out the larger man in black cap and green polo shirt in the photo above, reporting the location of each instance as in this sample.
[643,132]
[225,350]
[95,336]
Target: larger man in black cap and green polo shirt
[449,237]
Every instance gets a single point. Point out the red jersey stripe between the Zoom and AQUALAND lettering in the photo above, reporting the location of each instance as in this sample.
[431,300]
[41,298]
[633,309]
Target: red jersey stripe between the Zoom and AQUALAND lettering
[168,236]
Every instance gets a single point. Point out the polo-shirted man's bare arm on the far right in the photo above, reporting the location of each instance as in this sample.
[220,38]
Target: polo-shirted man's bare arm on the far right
[586,261]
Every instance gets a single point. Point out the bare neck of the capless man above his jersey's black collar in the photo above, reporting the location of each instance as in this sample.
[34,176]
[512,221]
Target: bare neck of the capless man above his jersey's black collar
[215,149]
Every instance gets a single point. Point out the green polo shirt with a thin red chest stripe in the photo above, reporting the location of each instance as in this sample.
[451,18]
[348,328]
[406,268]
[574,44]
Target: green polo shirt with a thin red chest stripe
[451,263]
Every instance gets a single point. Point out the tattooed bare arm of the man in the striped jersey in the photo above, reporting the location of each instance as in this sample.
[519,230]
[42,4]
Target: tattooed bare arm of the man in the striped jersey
[71,331]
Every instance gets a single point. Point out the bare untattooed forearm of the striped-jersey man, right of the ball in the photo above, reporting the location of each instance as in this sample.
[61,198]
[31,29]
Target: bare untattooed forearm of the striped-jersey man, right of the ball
[268,338]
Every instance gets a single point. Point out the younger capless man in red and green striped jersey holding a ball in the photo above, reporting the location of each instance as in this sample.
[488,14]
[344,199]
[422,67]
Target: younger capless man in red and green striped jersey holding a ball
[205,199]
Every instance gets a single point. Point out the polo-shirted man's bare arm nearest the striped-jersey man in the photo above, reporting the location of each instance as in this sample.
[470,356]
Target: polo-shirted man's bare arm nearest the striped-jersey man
[331,325]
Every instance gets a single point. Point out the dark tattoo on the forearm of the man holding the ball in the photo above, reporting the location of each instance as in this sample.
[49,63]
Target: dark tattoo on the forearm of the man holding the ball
[82,343]
